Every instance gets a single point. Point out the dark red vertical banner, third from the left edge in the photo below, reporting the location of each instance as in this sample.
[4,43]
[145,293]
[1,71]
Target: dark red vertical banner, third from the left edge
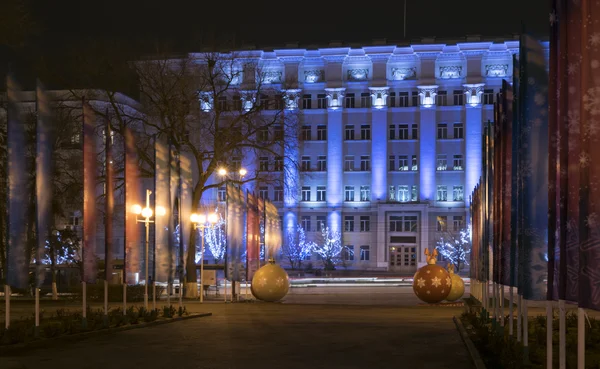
[90,267]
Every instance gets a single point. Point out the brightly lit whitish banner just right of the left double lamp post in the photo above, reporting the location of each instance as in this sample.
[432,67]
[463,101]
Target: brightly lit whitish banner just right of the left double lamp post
[162,196]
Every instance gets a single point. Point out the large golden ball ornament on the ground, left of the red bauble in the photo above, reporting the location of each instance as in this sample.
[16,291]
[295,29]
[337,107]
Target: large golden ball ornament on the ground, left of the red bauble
[270,282]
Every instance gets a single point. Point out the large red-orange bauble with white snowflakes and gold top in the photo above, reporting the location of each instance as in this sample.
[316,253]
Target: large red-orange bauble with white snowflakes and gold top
[432,283]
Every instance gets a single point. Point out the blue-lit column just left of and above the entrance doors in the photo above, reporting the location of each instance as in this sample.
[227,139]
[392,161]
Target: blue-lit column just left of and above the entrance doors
[379,143]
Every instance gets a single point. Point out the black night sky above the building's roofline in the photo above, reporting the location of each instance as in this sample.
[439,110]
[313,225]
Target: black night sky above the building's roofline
[274,24]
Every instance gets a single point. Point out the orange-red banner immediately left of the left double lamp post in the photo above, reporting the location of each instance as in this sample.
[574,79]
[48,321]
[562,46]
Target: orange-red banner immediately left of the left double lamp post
[132,243]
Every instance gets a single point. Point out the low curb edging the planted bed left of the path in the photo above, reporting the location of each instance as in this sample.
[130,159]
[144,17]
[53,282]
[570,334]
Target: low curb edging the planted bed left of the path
[79,336]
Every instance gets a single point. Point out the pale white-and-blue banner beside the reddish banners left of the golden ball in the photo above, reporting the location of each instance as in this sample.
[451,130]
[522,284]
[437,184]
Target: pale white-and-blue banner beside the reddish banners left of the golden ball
[235,232]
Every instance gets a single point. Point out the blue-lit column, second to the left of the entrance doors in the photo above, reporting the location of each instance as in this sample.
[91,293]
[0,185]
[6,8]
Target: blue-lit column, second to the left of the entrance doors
[335,152]
